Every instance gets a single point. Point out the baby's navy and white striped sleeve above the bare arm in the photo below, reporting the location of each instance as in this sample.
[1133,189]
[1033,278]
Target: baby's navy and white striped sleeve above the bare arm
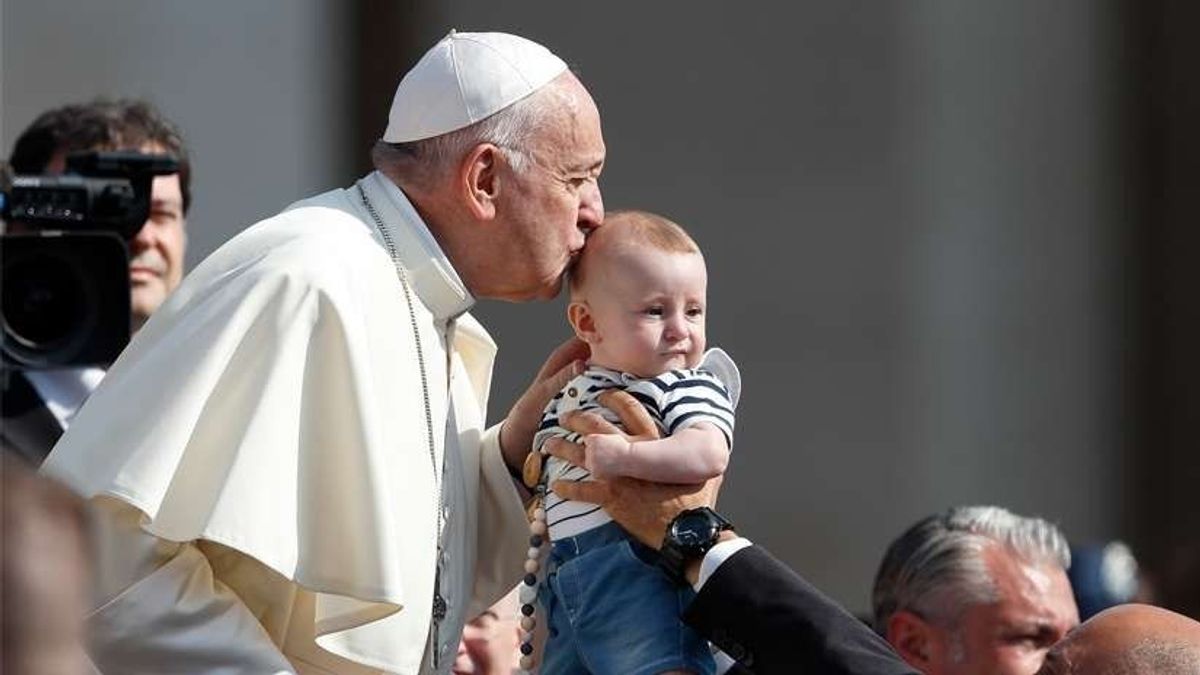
[685,398]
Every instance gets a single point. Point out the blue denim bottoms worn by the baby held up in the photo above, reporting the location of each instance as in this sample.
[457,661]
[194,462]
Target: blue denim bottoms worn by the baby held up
[613,612]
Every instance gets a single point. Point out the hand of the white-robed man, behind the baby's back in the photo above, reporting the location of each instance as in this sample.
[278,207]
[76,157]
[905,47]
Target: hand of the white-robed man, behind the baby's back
[521,425]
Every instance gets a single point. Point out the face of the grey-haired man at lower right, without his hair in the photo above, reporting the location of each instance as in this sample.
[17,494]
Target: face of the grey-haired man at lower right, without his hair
[1034,611]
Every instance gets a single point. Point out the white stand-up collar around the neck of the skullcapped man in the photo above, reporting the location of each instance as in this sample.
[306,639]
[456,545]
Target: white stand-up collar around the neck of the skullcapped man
[430,272]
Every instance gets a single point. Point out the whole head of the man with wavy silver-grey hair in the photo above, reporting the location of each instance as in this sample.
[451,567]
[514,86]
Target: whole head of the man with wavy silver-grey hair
[977,590]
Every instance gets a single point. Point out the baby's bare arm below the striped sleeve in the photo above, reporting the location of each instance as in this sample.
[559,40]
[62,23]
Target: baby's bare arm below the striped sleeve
[689,456]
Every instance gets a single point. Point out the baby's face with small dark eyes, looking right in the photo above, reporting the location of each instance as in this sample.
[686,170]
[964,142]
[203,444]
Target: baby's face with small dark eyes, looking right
[649,310]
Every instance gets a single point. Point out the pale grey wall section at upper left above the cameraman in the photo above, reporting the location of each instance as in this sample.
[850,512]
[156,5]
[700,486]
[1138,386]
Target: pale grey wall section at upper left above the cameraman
[263,92]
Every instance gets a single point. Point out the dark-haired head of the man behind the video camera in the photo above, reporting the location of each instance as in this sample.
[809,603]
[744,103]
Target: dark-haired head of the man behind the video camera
[157,253]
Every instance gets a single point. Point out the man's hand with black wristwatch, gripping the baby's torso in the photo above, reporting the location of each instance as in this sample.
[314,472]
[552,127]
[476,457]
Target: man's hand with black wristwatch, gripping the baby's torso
[643,509]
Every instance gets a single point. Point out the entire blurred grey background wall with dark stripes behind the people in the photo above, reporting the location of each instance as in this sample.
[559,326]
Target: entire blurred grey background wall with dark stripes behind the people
[947,241]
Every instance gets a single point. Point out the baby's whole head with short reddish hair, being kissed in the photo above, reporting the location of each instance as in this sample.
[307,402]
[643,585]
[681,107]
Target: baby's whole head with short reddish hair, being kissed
[639,296]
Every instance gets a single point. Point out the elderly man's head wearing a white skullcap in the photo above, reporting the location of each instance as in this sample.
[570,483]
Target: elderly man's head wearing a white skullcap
[499,146]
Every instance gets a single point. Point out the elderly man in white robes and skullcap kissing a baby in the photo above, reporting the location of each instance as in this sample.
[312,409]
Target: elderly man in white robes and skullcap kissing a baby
[289,464]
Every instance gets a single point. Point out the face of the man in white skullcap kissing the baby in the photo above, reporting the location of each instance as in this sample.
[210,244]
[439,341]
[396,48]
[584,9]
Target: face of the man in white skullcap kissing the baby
[555,202]
